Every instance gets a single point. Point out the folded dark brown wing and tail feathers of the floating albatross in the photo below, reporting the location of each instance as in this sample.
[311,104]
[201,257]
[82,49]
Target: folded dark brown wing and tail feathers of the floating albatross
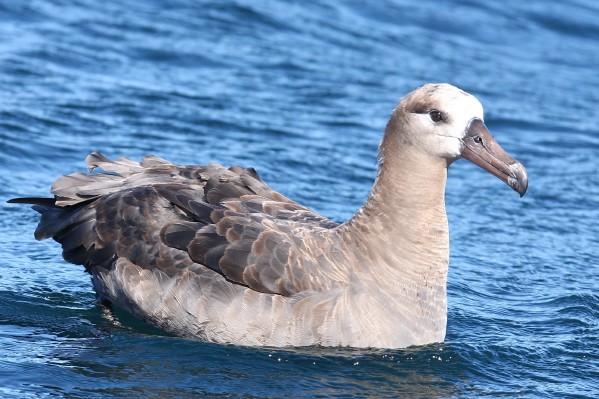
[158,215]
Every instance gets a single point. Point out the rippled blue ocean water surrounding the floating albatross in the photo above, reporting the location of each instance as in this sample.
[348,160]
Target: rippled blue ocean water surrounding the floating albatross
[301,91]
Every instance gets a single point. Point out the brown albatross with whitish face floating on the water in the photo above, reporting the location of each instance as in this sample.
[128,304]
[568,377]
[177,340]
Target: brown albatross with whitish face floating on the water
[215,254]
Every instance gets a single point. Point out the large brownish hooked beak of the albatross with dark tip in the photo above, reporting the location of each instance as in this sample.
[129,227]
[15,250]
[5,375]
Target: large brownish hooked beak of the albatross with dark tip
[480,148]
